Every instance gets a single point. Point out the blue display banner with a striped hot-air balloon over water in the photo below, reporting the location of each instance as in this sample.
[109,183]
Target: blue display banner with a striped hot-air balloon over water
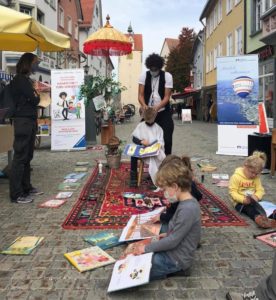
[237,102]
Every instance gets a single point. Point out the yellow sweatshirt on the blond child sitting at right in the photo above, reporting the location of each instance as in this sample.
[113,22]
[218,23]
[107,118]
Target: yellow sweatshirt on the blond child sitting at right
[240,186]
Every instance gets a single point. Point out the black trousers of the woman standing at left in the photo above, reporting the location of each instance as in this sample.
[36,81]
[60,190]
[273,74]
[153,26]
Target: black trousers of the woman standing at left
[23,146]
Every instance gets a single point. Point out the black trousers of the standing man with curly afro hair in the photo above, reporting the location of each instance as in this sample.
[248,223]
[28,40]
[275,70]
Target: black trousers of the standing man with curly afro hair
[165,121]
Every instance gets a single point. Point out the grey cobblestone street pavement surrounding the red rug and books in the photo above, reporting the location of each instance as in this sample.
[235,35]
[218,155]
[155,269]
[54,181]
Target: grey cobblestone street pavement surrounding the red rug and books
[229,259]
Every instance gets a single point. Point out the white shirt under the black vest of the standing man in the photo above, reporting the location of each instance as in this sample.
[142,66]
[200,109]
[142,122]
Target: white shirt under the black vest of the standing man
[155,98]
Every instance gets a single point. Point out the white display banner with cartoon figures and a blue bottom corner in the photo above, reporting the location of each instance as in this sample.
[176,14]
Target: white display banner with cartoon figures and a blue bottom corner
[67,110]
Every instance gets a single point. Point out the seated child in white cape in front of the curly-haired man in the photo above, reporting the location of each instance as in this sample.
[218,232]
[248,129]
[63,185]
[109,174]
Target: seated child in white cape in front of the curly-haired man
[146,133]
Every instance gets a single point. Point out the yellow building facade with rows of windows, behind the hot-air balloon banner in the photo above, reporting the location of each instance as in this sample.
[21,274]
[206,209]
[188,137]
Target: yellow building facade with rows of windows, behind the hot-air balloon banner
[224,36]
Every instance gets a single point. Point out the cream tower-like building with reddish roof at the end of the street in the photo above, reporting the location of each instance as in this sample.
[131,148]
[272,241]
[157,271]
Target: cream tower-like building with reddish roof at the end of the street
[130,68]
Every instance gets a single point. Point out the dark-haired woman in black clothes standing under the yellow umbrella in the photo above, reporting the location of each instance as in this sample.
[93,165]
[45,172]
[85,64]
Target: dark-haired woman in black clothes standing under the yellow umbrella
[25,123]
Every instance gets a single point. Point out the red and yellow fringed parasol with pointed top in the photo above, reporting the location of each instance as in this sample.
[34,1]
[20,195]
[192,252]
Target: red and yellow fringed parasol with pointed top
[107,41]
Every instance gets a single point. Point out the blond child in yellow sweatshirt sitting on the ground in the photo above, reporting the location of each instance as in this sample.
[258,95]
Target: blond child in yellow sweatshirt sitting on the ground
[245,187]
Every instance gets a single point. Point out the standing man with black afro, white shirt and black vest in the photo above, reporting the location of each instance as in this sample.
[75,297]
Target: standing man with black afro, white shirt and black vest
[155,88]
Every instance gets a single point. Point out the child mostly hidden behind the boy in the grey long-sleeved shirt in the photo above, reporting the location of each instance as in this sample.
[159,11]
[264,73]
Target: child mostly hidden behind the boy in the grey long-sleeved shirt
[165,217]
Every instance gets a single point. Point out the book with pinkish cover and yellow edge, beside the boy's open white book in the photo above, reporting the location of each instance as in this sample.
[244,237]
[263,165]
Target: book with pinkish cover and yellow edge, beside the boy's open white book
[89,258]
